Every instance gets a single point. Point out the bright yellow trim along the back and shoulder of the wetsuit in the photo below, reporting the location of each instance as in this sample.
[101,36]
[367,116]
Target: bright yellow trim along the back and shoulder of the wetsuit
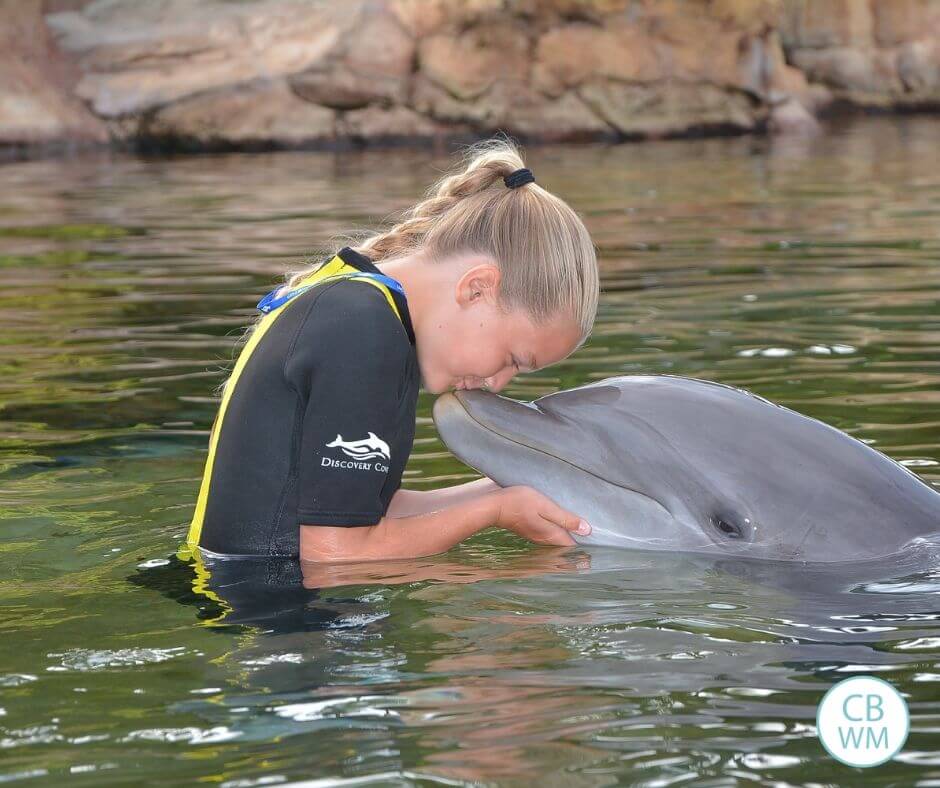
[334,268]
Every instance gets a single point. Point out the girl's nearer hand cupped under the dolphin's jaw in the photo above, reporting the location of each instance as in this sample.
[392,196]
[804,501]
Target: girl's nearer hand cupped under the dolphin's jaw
[525,511]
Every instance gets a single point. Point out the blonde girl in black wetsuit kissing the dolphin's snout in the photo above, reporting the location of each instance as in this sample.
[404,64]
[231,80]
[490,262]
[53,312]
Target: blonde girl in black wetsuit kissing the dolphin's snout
[489,276]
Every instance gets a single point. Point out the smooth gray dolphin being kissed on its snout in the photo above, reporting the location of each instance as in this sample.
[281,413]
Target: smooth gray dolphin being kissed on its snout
[660,462]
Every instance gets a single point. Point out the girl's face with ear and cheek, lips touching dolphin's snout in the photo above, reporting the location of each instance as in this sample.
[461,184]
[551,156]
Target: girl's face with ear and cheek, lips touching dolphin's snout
[471,343]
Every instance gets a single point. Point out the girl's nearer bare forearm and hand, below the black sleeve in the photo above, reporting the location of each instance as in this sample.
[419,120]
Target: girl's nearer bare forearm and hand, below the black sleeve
[522,510]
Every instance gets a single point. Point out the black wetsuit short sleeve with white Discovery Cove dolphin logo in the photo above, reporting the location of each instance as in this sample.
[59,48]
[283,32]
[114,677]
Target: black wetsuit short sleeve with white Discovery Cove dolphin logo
[351,369]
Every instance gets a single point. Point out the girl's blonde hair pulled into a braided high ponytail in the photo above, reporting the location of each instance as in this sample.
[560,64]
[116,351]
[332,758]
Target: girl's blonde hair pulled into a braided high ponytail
[543,250]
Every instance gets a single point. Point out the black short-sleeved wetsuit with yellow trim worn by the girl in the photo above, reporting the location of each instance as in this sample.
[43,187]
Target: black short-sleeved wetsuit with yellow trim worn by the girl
[318,417]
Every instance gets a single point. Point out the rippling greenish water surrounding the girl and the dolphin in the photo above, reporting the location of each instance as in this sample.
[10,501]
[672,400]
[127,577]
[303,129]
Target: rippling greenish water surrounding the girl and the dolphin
[808,272]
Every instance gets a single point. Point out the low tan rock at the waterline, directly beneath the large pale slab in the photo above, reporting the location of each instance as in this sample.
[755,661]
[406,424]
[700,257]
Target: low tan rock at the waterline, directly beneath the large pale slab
[265,112]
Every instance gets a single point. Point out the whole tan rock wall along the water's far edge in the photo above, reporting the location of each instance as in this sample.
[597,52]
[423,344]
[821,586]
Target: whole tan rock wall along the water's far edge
[269,73]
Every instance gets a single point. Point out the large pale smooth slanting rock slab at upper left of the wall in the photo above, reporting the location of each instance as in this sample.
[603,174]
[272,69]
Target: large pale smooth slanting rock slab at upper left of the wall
[141,56]
